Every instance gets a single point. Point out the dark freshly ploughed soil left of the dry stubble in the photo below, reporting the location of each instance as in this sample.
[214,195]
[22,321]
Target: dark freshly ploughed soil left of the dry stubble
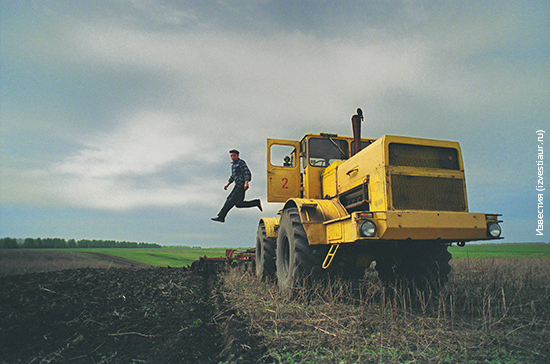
[117,315]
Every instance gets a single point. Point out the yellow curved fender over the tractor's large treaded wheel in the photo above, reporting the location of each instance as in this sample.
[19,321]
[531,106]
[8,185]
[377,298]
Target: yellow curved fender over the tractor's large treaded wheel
[314,213]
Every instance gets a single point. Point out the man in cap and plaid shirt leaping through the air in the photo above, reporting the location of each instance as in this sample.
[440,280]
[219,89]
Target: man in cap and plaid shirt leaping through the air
[240,174]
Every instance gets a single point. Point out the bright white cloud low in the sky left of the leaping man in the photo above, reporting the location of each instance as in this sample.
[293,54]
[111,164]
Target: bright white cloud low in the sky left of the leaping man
[148,160]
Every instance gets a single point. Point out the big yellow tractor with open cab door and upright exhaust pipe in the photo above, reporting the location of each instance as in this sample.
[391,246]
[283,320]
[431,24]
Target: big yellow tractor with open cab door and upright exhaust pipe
[349,201]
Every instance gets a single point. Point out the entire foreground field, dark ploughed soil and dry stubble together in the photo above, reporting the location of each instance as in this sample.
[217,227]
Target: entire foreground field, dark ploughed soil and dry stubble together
[490,311]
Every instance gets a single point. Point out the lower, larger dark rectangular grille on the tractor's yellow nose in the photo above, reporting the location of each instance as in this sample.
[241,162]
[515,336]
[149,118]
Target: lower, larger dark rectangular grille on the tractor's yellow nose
[427,193]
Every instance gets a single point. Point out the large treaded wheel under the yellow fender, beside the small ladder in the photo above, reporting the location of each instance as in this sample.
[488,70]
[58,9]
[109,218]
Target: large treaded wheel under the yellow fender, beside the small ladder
[296,259]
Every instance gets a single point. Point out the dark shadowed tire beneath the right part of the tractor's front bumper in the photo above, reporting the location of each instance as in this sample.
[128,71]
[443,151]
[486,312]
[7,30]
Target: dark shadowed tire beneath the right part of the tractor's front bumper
[422,264]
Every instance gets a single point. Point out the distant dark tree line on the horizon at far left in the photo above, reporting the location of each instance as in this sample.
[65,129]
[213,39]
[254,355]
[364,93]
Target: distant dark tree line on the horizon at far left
[58,243]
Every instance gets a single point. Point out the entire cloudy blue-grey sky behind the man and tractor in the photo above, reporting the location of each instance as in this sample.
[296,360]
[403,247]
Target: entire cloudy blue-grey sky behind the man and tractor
[116,116]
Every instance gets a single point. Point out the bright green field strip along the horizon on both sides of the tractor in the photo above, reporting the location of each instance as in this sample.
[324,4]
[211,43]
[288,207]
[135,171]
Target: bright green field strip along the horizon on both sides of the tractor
[181,257]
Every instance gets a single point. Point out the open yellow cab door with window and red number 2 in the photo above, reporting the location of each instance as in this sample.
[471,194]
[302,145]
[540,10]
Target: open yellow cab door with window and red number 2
[283,170]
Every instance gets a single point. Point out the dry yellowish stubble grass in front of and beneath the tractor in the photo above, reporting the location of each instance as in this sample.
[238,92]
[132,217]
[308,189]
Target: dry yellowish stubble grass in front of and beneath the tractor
[491,311]
